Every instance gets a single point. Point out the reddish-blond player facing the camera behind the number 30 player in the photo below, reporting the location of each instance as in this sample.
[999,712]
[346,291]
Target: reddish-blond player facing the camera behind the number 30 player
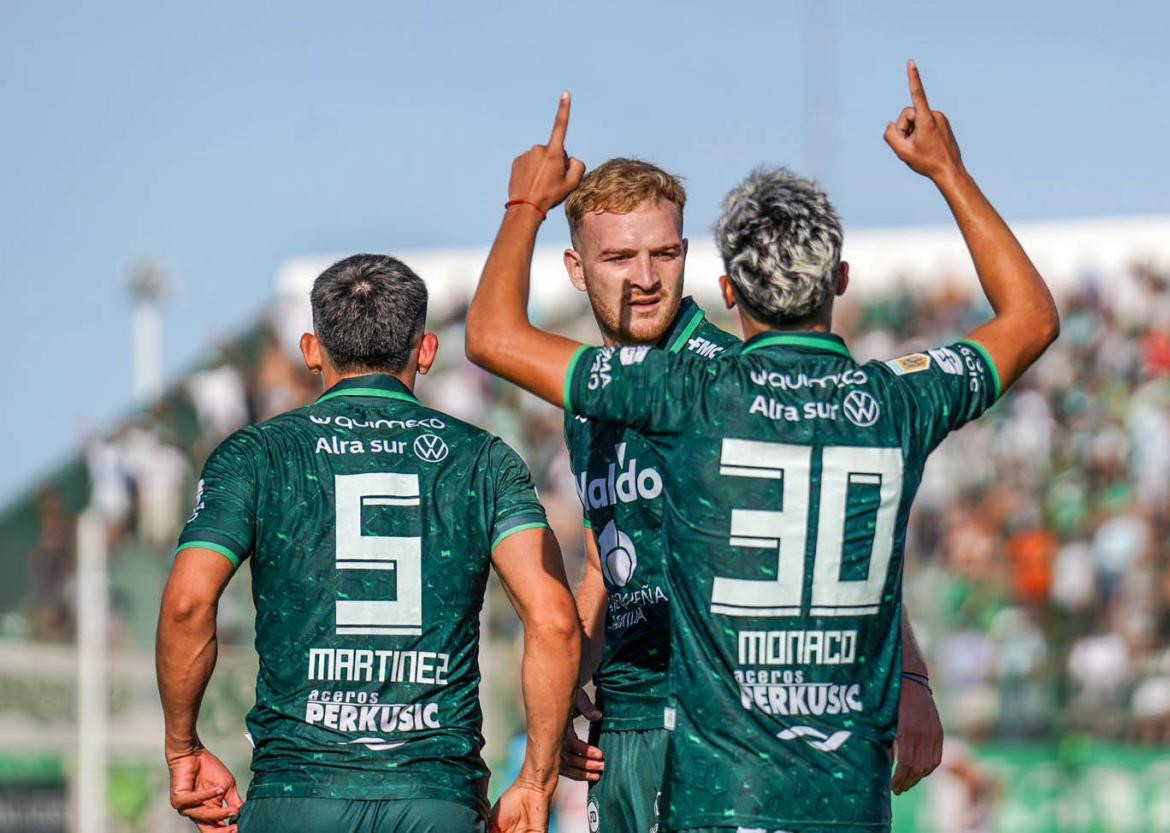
[628,254]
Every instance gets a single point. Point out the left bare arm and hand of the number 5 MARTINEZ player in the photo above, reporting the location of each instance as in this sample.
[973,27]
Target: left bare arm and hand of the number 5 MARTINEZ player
[202,787]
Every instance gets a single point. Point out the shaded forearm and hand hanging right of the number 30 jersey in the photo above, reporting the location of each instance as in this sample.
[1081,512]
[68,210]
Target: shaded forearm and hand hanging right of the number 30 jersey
[920,732]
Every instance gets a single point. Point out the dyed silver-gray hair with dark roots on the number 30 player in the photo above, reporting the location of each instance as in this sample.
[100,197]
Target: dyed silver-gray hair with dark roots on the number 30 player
[781,243]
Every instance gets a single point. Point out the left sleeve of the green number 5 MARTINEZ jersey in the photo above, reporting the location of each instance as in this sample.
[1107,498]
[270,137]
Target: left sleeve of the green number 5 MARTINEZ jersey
[225,515]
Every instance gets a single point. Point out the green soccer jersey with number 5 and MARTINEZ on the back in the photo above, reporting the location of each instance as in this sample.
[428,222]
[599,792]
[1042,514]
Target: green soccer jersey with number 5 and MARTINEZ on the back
[369,521]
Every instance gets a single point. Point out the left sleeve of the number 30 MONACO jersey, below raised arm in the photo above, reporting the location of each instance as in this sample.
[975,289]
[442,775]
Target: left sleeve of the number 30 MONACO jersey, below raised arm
[648,389]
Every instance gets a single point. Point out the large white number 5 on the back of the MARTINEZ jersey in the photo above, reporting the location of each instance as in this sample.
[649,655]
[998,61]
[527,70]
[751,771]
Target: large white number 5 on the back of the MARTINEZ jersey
[403,556]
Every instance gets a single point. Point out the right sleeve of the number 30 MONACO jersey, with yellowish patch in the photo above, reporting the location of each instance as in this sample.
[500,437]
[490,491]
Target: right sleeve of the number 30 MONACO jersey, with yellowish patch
[947,387]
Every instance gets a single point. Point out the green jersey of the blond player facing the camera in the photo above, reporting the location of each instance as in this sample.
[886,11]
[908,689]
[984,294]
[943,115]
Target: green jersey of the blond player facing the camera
[620,481]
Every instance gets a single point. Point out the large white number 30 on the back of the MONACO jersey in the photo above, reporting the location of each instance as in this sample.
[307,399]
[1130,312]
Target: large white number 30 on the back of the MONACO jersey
[868,480]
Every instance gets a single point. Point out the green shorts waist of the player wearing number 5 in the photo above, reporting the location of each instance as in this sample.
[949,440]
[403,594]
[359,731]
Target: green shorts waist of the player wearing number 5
[357,816]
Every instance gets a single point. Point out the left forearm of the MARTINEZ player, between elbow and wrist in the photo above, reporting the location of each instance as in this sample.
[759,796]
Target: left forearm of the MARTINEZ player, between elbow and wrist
[185,658]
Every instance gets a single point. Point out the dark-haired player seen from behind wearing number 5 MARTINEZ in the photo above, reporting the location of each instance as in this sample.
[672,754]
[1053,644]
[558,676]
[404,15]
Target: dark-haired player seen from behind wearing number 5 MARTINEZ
[370,522]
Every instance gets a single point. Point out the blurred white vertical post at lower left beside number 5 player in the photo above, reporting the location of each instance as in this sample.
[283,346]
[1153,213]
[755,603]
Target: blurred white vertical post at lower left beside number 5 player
[93,674]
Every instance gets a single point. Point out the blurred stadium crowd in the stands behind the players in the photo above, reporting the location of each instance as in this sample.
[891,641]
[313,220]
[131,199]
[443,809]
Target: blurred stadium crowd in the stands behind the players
[1040,555]
